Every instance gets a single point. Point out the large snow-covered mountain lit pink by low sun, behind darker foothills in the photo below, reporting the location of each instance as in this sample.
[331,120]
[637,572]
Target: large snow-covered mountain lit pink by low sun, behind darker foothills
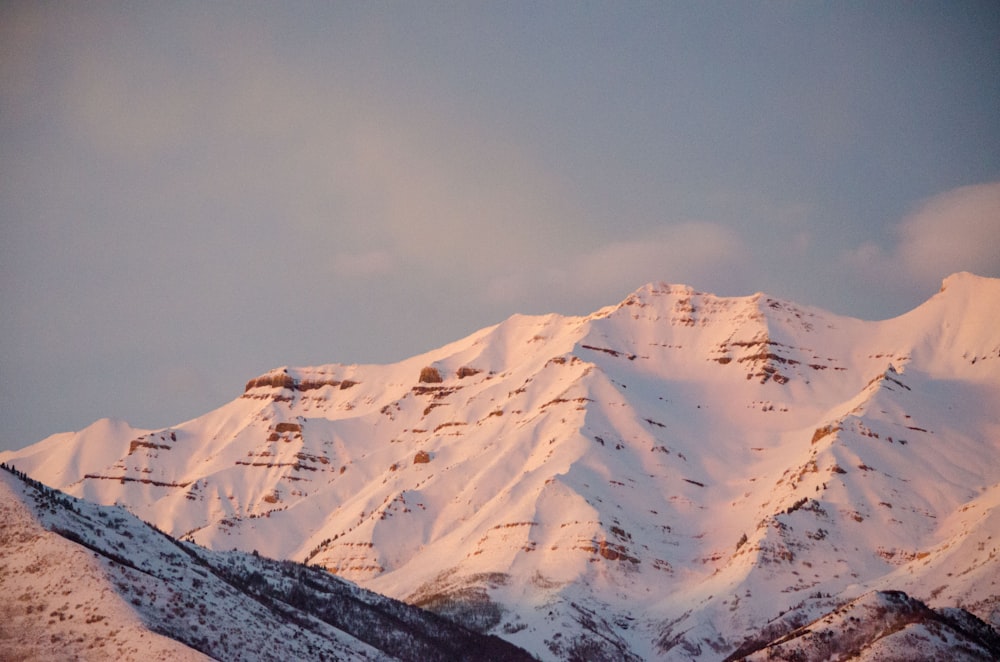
[671,477]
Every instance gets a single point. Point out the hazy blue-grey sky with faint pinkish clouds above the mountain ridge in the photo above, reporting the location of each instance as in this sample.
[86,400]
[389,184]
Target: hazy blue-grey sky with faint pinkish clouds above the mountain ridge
[193,193]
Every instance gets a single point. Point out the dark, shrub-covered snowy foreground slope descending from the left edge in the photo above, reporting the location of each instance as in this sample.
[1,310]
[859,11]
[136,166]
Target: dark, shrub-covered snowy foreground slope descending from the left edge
[134,592]
